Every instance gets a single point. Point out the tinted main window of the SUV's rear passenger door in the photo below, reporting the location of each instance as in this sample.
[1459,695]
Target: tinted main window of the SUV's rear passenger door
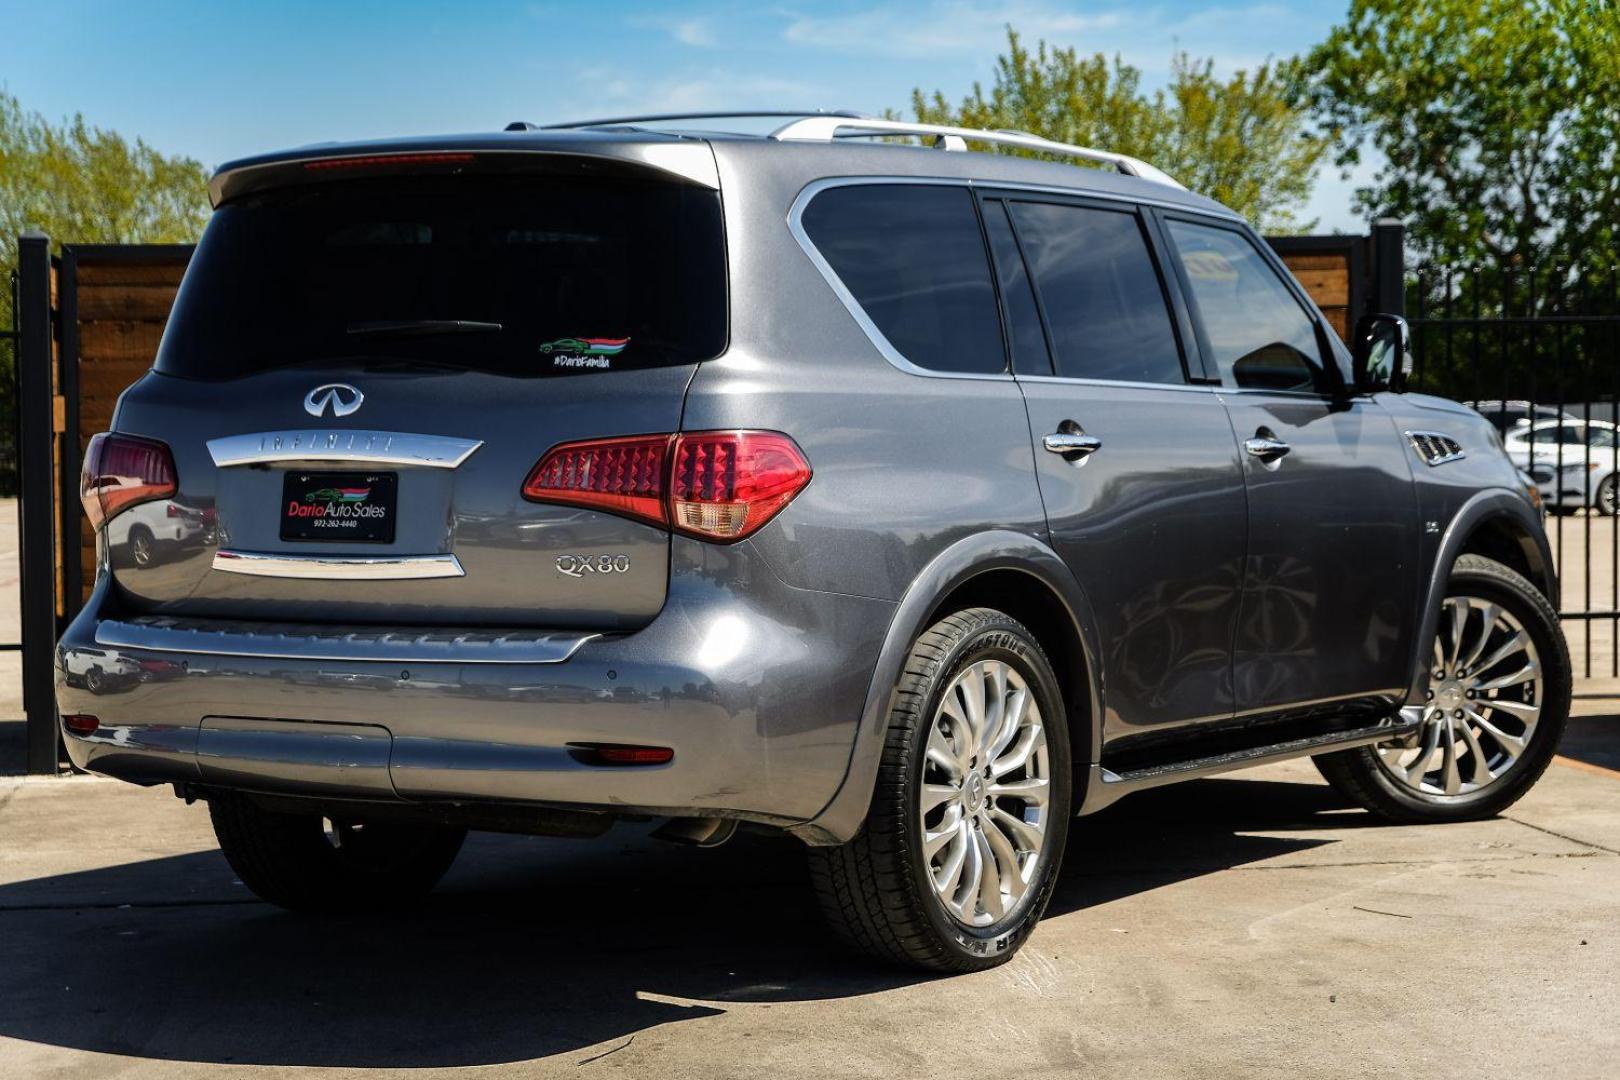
[1104,304]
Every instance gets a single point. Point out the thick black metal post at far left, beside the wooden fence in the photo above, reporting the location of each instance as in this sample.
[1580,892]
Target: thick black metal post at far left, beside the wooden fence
[38,509]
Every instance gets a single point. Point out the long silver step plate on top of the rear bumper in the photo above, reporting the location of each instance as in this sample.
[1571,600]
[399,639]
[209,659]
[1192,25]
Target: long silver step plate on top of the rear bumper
[291,642]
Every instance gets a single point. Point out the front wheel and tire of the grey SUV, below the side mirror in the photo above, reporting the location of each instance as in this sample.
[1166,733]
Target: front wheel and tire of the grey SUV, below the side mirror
[1498,704]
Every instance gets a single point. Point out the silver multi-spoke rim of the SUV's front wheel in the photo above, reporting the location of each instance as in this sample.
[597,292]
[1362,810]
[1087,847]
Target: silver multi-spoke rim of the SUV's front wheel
[1483,705]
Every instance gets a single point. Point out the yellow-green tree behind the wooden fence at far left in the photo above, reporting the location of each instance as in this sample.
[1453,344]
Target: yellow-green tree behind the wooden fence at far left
[87,185]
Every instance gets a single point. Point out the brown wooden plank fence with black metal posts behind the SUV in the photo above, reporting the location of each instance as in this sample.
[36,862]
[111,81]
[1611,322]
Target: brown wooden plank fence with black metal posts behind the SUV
[90,323]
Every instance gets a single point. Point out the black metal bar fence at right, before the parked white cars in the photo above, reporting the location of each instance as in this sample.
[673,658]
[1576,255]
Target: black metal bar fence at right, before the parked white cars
[1541,342]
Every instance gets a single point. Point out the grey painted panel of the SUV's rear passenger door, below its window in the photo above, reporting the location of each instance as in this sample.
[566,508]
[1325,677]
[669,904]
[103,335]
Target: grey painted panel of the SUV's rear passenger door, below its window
[1154,529]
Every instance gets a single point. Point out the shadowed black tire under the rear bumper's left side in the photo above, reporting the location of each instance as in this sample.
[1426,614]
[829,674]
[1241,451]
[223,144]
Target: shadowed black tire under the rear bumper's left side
[309,864]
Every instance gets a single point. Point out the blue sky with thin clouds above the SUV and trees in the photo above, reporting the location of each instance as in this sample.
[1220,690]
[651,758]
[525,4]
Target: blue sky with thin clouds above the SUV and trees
[228,79]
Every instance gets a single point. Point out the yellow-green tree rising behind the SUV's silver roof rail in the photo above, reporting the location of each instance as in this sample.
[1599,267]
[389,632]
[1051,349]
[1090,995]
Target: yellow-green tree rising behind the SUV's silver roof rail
[1240,140]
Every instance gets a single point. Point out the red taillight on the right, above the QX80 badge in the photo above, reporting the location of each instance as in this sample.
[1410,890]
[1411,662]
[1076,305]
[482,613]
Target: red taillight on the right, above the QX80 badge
[717,485]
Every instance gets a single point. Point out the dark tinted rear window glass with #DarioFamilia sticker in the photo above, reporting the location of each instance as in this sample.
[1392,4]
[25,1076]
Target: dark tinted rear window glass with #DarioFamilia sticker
[516,276]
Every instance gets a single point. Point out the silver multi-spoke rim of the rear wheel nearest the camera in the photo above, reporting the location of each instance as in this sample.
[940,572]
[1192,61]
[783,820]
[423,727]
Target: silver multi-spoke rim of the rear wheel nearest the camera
[984,794]
